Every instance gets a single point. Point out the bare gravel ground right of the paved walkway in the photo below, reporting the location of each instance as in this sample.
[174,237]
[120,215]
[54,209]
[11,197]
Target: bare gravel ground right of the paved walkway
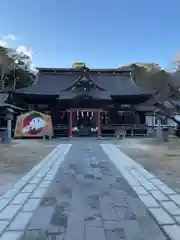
[162,159]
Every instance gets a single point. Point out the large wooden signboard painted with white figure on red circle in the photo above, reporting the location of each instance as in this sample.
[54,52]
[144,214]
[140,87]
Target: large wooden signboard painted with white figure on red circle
[33,124]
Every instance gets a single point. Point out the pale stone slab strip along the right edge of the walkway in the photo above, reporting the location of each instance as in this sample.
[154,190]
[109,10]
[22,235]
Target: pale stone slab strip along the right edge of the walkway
[161,201]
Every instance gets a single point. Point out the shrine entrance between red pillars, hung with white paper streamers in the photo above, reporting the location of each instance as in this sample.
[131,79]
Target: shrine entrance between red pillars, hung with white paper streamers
[84,122]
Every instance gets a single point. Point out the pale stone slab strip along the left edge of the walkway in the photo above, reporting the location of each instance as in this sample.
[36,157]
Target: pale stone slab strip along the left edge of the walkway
[17,206]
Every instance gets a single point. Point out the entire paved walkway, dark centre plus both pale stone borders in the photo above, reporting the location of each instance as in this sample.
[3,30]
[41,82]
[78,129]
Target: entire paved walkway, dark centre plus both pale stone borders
[77,193]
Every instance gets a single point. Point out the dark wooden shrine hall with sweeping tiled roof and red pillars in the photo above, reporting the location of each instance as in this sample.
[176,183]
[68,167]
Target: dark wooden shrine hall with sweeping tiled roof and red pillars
[87,102]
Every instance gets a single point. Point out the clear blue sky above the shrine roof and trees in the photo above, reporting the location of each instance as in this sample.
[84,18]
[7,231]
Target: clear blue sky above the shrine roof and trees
[100,33]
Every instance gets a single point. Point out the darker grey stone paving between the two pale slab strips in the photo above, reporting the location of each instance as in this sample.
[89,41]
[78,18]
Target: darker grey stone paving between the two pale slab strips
[90,199]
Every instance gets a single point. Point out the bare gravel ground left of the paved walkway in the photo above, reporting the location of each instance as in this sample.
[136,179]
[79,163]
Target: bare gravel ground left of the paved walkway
[17,158]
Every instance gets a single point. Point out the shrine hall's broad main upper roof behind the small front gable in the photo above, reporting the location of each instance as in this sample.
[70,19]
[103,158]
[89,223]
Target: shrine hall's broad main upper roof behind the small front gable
[116,82]
